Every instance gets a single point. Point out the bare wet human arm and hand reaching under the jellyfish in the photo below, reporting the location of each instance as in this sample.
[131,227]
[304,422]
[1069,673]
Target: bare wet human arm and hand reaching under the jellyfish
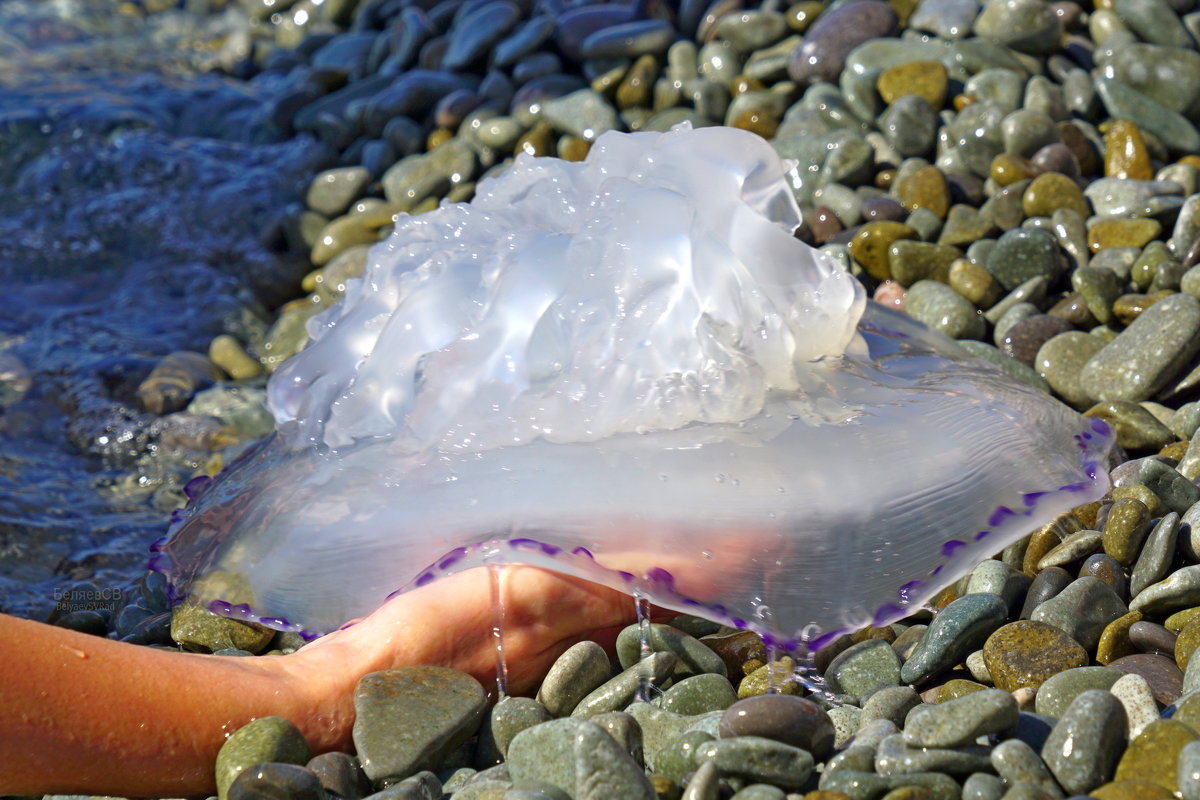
[82,714]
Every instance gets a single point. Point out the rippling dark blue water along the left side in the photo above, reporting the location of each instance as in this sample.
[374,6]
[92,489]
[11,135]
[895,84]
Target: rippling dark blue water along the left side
[139,202]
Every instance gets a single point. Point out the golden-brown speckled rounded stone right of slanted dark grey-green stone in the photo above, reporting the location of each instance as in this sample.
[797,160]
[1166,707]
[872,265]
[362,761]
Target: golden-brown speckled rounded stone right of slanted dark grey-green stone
[1028,653]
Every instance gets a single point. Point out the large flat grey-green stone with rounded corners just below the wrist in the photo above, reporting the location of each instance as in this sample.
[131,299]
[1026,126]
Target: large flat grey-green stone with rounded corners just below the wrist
[410,719]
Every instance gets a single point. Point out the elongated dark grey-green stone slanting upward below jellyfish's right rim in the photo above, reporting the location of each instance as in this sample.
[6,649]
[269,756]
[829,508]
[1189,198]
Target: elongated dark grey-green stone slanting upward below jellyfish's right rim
[958,630]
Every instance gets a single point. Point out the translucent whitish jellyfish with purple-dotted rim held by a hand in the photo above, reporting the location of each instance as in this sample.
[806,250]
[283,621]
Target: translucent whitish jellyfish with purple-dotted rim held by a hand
[628,370]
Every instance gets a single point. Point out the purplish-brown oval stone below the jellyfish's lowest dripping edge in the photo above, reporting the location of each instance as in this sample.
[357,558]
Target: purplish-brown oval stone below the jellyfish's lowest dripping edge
[794,721]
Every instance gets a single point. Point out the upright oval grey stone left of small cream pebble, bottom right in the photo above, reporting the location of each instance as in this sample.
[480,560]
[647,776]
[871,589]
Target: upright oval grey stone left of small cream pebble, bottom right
[1085,745]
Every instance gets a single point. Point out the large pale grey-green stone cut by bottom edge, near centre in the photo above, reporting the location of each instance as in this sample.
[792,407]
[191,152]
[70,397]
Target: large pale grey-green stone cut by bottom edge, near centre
[579,759]
